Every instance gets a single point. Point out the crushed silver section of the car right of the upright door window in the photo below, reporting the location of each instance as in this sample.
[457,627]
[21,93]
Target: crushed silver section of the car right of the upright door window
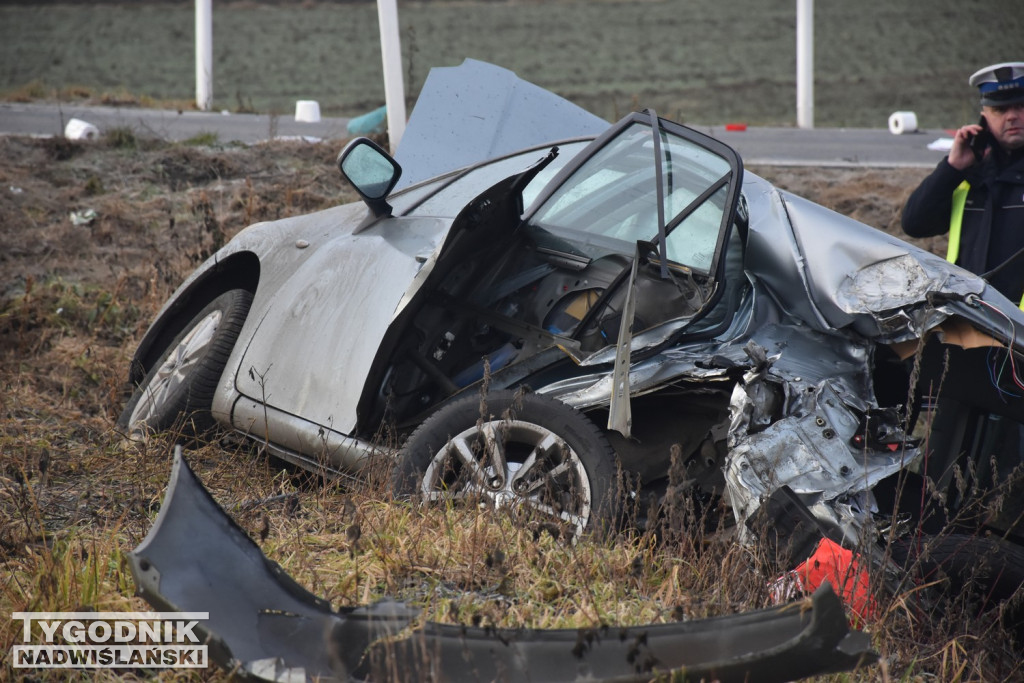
[809,388]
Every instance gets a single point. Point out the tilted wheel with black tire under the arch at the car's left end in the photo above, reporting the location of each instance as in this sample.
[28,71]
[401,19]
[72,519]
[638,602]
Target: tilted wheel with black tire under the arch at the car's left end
[181,386]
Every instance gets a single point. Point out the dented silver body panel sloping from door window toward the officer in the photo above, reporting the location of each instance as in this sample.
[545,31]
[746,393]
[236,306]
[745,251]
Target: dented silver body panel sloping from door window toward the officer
[834,273]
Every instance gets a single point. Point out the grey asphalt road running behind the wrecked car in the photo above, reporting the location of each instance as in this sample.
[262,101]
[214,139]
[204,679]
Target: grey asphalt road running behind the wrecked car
[782,147]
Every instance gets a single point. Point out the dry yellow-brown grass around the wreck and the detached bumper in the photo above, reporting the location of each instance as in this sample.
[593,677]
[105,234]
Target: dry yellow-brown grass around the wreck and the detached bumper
[75,496]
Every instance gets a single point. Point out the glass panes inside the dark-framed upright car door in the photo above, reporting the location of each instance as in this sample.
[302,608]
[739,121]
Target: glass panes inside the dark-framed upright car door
[612,201]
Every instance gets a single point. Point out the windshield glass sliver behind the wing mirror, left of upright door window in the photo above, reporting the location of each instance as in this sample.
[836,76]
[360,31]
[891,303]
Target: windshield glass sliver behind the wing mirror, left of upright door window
[451,199]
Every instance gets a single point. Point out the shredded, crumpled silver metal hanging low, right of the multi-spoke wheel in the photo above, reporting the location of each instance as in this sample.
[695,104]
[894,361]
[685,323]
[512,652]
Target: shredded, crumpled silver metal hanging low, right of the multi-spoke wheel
[824,398]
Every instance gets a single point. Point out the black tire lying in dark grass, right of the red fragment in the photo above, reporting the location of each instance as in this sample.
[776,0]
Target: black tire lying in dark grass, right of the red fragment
[986,572]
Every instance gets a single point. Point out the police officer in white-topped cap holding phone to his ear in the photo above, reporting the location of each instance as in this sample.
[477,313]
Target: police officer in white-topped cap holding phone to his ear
[977,193]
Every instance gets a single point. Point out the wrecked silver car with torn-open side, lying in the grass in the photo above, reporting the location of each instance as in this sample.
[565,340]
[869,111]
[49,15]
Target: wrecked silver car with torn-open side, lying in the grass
[620,301]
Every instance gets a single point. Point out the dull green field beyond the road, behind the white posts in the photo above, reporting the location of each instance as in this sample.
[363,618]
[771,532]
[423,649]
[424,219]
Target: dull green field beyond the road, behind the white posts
[704,62]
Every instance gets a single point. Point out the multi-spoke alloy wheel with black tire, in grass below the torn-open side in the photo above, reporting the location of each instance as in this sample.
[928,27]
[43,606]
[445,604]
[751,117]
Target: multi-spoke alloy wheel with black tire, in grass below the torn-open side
[559,467]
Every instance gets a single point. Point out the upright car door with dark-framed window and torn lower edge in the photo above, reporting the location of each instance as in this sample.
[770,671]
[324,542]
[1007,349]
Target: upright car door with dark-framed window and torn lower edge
[652,188]
